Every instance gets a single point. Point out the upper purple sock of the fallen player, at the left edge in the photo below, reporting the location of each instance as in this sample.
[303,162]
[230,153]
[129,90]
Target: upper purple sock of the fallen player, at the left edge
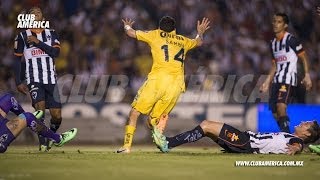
[9,103]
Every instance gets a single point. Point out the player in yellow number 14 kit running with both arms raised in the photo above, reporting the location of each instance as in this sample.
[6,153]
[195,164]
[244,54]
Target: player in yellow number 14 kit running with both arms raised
[160,92]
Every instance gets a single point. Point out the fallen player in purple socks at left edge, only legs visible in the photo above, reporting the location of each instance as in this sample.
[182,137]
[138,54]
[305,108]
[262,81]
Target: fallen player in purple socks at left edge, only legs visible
[10,129]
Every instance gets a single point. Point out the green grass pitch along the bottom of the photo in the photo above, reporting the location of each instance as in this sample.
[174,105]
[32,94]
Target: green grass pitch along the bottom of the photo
[93,163]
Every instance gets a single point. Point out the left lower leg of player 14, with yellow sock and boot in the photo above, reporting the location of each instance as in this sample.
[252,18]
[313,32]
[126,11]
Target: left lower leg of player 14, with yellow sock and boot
[129,131]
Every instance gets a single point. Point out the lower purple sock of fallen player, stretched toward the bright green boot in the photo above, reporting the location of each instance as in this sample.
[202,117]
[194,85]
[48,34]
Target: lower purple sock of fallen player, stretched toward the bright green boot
[38,127]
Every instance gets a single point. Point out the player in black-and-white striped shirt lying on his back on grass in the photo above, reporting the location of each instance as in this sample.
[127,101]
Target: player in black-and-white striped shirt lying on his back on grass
[236,141]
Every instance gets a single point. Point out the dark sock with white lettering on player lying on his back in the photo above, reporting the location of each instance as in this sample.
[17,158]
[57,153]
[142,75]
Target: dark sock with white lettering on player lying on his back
[186,137]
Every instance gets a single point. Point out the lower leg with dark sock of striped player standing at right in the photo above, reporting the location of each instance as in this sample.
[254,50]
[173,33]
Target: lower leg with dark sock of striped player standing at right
[283,119]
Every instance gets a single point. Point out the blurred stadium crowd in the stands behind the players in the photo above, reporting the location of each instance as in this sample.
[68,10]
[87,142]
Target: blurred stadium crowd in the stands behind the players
[93,41]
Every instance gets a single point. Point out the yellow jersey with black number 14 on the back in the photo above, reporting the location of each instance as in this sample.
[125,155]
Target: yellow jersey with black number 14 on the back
[168,51]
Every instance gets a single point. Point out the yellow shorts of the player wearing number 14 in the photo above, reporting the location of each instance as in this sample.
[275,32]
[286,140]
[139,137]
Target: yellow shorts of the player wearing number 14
[157,96]
